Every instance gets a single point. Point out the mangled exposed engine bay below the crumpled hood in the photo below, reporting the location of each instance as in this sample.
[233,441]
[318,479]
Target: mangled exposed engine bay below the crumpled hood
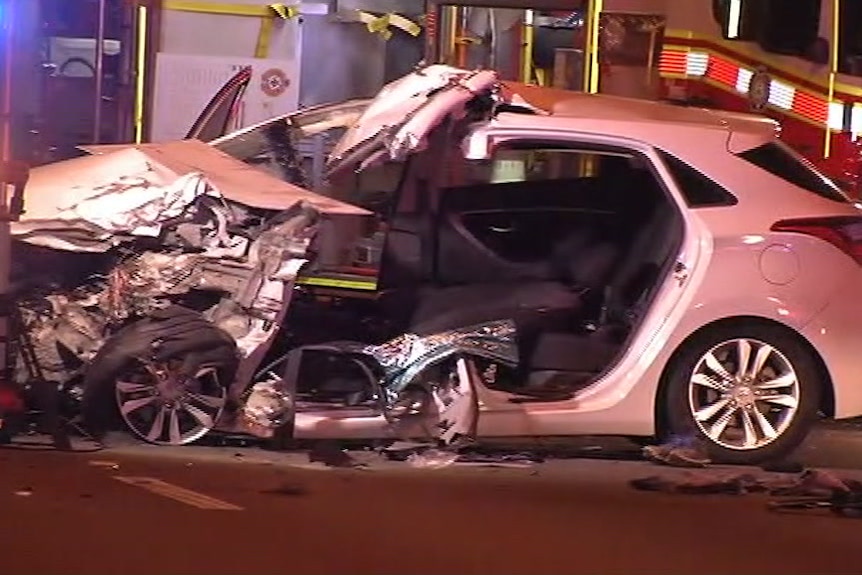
[219,277]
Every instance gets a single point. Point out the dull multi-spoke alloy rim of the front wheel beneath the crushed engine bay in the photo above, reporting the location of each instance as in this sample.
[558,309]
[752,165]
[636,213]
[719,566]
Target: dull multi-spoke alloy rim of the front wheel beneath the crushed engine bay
[161,406]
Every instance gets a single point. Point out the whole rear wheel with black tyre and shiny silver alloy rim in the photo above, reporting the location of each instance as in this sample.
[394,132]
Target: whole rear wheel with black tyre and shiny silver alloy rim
[693,387]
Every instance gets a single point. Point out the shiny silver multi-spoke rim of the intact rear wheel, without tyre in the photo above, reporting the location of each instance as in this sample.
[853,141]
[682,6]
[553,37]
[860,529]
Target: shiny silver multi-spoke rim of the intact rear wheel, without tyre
[743,394]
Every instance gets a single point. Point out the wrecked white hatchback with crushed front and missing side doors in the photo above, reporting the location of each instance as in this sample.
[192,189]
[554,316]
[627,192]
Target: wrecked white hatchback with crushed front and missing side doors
[475,259]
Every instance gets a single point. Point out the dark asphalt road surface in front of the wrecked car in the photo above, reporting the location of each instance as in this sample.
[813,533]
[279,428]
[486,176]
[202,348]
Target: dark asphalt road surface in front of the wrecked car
[134,509]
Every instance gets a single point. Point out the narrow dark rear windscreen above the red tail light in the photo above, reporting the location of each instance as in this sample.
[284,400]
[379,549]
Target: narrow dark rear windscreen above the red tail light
[779,161]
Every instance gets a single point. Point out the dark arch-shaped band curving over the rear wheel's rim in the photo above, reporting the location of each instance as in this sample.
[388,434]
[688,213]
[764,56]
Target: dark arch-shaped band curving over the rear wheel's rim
[827,400]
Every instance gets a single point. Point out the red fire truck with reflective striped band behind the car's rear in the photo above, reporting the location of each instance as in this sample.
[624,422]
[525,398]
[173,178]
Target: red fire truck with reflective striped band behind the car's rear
[797,61]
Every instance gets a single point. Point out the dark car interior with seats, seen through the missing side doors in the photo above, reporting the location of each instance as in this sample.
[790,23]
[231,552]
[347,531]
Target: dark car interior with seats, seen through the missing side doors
[570,247]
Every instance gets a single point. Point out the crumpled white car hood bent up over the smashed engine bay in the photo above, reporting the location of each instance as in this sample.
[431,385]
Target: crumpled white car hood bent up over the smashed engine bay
[91,203]
